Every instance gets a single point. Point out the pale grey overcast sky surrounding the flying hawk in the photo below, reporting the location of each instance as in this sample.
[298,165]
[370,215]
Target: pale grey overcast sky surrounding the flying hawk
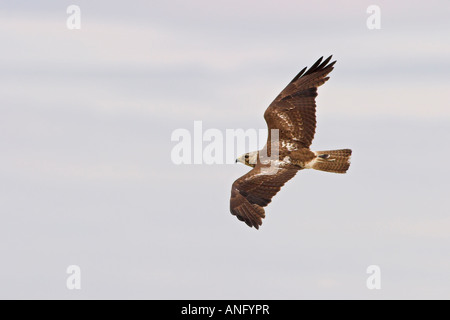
[86,176]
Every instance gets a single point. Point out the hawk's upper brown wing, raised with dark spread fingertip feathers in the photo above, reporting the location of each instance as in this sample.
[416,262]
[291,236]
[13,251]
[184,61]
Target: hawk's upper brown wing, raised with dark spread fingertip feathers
[293,112]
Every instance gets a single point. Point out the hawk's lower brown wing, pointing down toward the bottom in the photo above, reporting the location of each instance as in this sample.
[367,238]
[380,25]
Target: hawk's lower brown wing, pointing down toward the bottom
[255,190]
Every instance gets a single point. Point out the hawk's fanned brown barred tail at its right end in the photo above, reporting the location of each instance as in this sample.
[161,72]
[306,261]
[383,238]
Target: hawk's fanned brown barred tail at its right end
[337,161]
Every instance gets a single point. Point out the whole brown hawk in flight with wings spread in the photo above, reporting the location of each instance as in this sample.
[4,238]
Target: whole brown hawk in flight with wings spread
[293,116]
